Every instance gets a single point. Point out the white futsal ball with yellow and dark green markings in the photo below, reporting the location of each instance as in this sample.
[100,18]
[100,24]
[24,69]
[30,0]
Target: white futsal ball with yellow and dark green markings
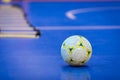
[76,50]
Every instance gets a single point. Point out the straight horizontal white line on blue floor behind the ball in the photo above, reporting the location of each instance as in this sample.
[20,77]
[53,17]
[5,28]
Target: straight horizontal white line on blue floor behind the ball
[77,27]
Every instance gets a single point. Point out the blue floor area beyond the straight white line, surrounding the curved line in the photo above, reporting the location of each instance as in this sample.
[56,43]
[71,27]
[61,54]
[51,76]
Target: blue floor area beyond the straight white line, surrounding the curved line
[53,14]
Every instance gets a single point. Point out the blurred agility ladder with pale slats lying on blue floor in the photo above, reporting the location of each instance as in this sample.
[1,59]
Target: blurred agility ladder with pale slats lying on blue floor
[13,23]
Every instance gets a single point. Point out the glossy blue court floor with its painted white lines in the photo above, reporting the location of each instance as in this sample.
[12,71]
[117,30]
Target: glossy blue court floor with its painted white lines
[40,59]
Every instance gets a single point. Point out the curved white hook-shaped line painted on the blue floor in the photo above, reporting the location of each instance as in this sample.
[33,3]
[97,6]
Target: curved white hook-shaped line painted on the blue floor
[71,14]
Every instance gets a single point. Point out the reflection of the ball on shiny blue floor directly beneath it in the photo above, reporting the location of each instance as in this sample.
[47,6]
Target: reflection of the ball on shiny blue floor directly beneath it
[75,73]
